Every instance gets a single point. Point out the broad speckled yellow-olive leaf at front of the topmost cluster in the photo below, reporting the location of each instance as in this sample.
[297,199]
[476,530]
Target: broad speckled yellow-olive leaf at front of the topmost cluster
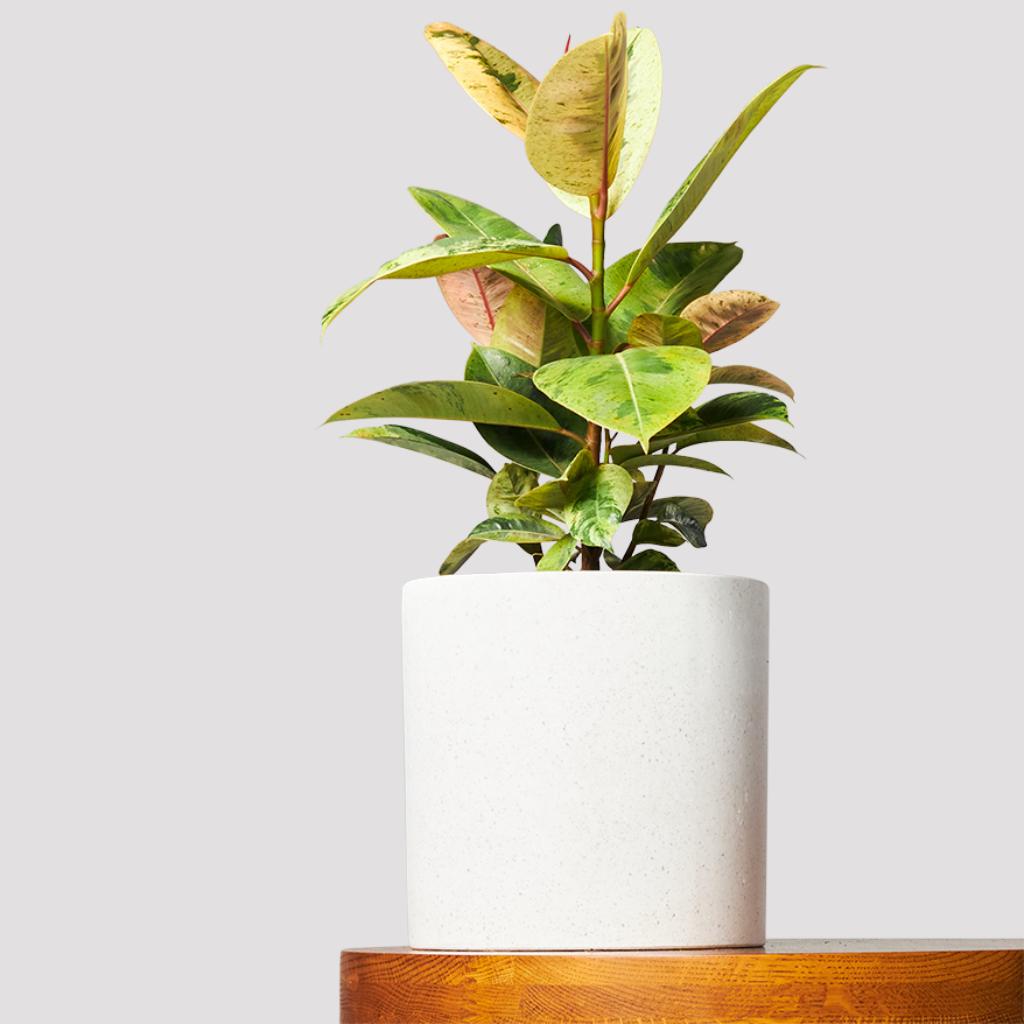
[576,124]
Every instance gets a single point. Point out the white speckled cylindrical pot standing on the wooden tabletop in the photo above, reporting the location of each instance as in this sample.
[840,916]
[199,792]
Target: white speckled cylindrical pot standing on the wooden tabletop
[585,760]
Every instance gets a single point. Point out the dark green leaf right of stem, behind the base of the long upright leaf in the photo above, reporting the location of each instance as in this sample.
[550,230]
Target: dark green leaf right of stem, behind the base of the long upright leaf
[680,273]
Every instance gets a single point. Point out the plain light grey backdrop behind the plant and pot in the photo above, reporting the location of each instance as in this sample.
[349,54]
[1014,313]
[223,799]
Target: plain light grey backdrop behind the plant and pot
[202,778]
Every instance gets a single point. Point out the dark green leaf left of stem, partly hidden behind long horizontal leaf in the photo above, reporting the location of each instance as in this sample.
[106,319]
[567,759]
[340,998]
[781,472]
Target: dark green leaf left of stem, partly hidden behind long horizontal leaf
[540,450]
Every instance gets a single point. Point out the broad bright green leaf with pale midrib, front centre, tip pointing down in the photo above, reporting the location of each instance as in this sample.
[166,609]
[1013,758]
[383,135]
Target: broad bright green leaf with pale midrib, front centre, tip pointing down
[638,392]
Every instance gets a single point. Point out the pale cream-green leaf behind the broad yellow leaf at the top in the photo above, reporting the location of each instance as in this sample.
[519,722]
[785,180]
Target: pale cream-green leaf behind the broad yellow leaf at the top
[644,89]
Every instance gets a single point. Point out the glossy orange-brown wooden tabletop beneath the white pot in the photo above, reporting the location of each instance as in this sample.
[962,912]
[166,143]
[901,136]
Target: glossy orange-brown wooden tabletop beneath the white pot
[823,982]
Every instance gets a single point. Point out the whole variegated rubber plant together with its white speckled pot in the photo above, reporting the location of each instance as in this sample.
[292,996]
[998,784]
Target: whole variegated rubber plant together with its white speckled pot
[585,749]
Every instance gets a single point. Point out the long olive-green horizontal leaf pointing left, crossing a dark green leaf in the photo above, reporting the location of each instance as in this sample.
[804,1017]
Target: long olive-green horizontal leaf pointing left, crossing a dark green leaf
[471,401]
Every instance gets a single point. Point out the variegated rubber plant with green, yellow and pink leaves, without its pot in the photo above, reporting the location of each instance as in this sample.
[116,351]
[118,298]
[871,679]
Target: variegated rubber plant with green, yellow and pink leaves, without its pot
[583,378]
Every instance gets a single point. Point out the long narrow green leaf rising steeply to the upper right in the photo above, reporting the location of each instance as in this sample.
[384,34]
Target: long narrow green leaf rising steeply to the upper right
[706,174]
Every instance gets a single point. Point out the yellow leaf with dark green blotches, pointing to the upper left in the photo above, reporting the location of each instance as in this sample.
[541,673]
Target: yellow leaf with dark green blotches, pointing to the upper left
[492,78]
